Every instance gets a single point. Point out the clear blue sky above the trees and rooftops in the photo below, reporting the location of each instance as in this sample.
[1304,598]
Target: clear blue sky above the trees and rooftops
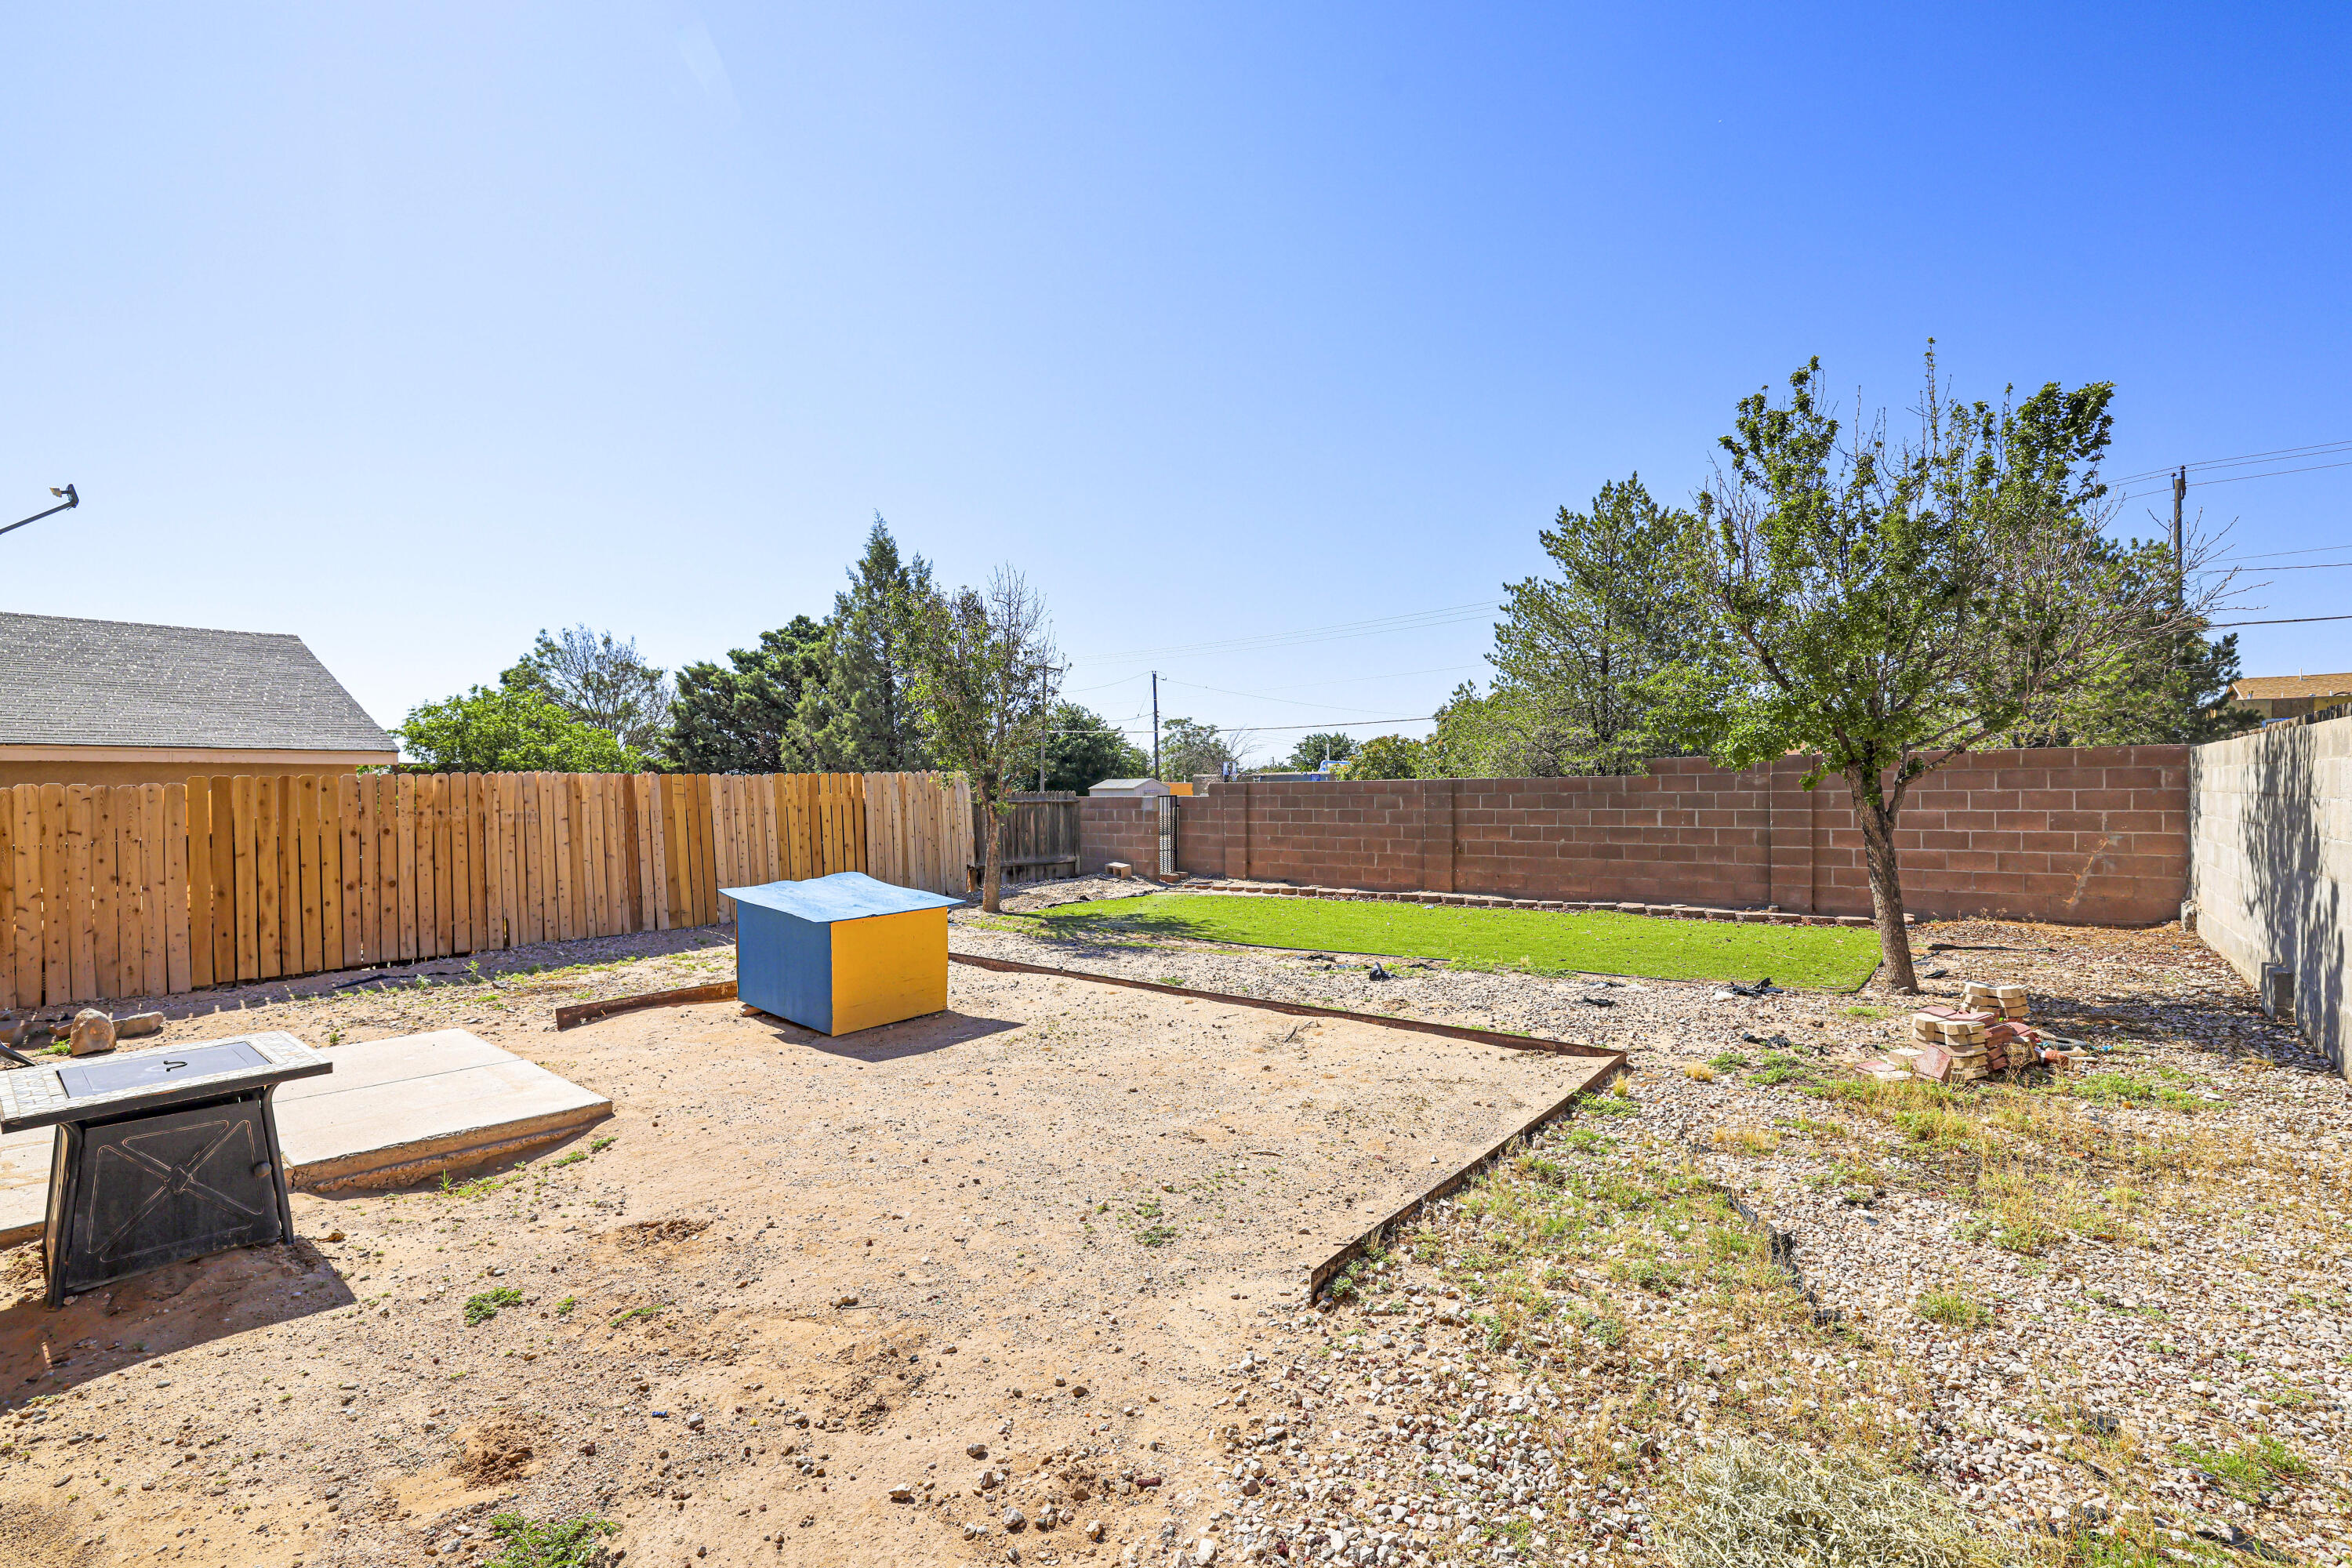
[415,328]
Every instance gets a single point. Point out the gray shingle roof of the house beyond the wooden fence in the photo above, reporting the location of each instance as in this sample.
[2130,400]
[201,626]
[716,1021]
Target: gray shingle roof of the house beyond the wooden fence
[119,683]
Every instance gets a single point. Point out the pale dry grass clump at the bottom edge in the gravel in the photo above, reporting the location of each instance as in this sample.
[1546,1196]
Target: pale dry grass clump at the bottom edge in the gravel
[1765,1506]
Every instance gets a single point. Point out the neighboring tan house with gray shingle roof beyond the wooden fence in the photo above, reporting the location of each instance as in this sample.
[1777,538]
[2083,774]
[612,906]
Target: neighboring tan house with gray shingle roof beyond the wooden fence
[114,702]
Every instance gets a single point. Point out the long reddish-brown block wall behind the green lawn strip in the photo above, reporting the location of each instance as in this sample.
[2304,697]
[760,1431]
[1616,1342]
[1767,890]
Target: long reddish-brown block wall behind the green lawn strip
[2087,836]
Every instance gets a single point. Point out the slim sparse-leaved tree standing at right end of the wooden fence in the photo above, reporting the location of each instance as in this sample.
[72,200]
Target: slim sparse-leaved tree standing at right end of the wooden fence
[984,674]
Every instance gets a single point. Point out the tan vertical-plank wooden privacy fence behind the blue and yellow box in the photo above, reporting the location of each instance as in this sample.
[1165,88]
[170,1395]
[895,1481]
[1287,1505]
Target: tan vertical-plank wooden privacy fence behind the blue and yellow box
[147,890]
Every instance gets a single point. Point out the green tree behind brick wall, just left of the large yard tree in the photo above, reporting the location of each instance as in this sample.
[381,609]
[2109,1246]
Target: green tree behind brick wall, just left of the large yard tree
[1582,650]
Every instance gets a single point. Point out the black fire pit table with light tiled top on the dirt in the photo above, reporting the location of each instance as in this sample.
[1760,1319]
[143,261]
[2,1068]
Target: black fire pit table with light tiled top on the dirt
[161,1155]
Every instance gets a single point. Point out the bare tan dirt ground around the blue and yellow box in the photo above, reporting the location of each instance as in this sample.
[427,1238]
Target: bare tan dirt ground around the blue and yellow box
[1003,1259]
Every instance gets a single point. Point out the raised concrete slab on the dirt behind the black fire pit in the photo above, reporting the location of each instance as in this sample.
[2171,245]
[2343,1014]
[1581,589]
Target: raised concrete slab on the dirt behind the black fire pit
[394,1111]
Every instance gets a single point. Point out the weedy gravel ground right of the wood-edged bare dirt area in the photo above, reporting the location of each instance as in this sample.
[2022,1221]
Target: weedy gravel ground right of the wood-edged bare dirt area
[2104,1311]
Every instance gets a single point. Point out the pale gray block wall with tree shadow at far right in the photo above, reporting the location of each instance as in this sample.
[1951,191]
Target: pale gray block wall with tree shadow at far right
[2271,864]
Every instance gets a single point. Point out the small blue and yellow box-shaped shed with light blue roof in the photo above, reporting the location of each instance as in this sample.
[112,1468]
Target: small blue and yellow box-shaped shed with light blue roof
[841,953]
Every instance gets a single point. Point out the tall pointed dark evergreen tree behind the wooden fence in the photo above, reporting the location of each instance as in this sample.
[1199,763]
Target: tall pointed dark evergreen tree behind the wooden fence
[855,718]
